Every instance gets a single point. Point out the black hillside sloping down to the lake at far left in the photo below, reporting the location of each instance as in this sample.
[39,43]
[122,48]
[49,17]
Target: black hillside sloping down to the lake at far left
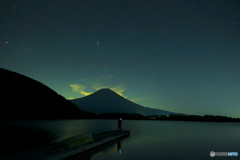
[24,98]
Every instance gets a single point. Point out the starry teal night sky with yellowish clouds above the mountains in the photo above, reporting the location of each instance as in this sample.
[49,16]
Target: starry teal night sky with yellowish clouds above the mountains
[177,55]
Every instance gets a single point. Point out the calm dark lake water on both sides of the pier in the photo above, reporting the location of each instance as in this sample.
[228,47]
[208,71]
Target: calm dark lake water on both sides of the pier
[167,140]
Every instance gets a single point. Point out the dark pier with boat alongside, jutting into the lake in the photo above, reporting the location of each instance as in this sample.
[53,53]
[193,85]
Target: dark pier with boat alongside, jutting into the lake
[84,151]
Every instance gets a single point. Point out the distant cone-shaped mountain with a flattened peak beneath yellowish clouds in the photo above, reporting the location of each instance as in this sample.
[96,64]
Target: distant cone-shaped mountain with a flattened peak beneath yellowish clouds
[107,101]
